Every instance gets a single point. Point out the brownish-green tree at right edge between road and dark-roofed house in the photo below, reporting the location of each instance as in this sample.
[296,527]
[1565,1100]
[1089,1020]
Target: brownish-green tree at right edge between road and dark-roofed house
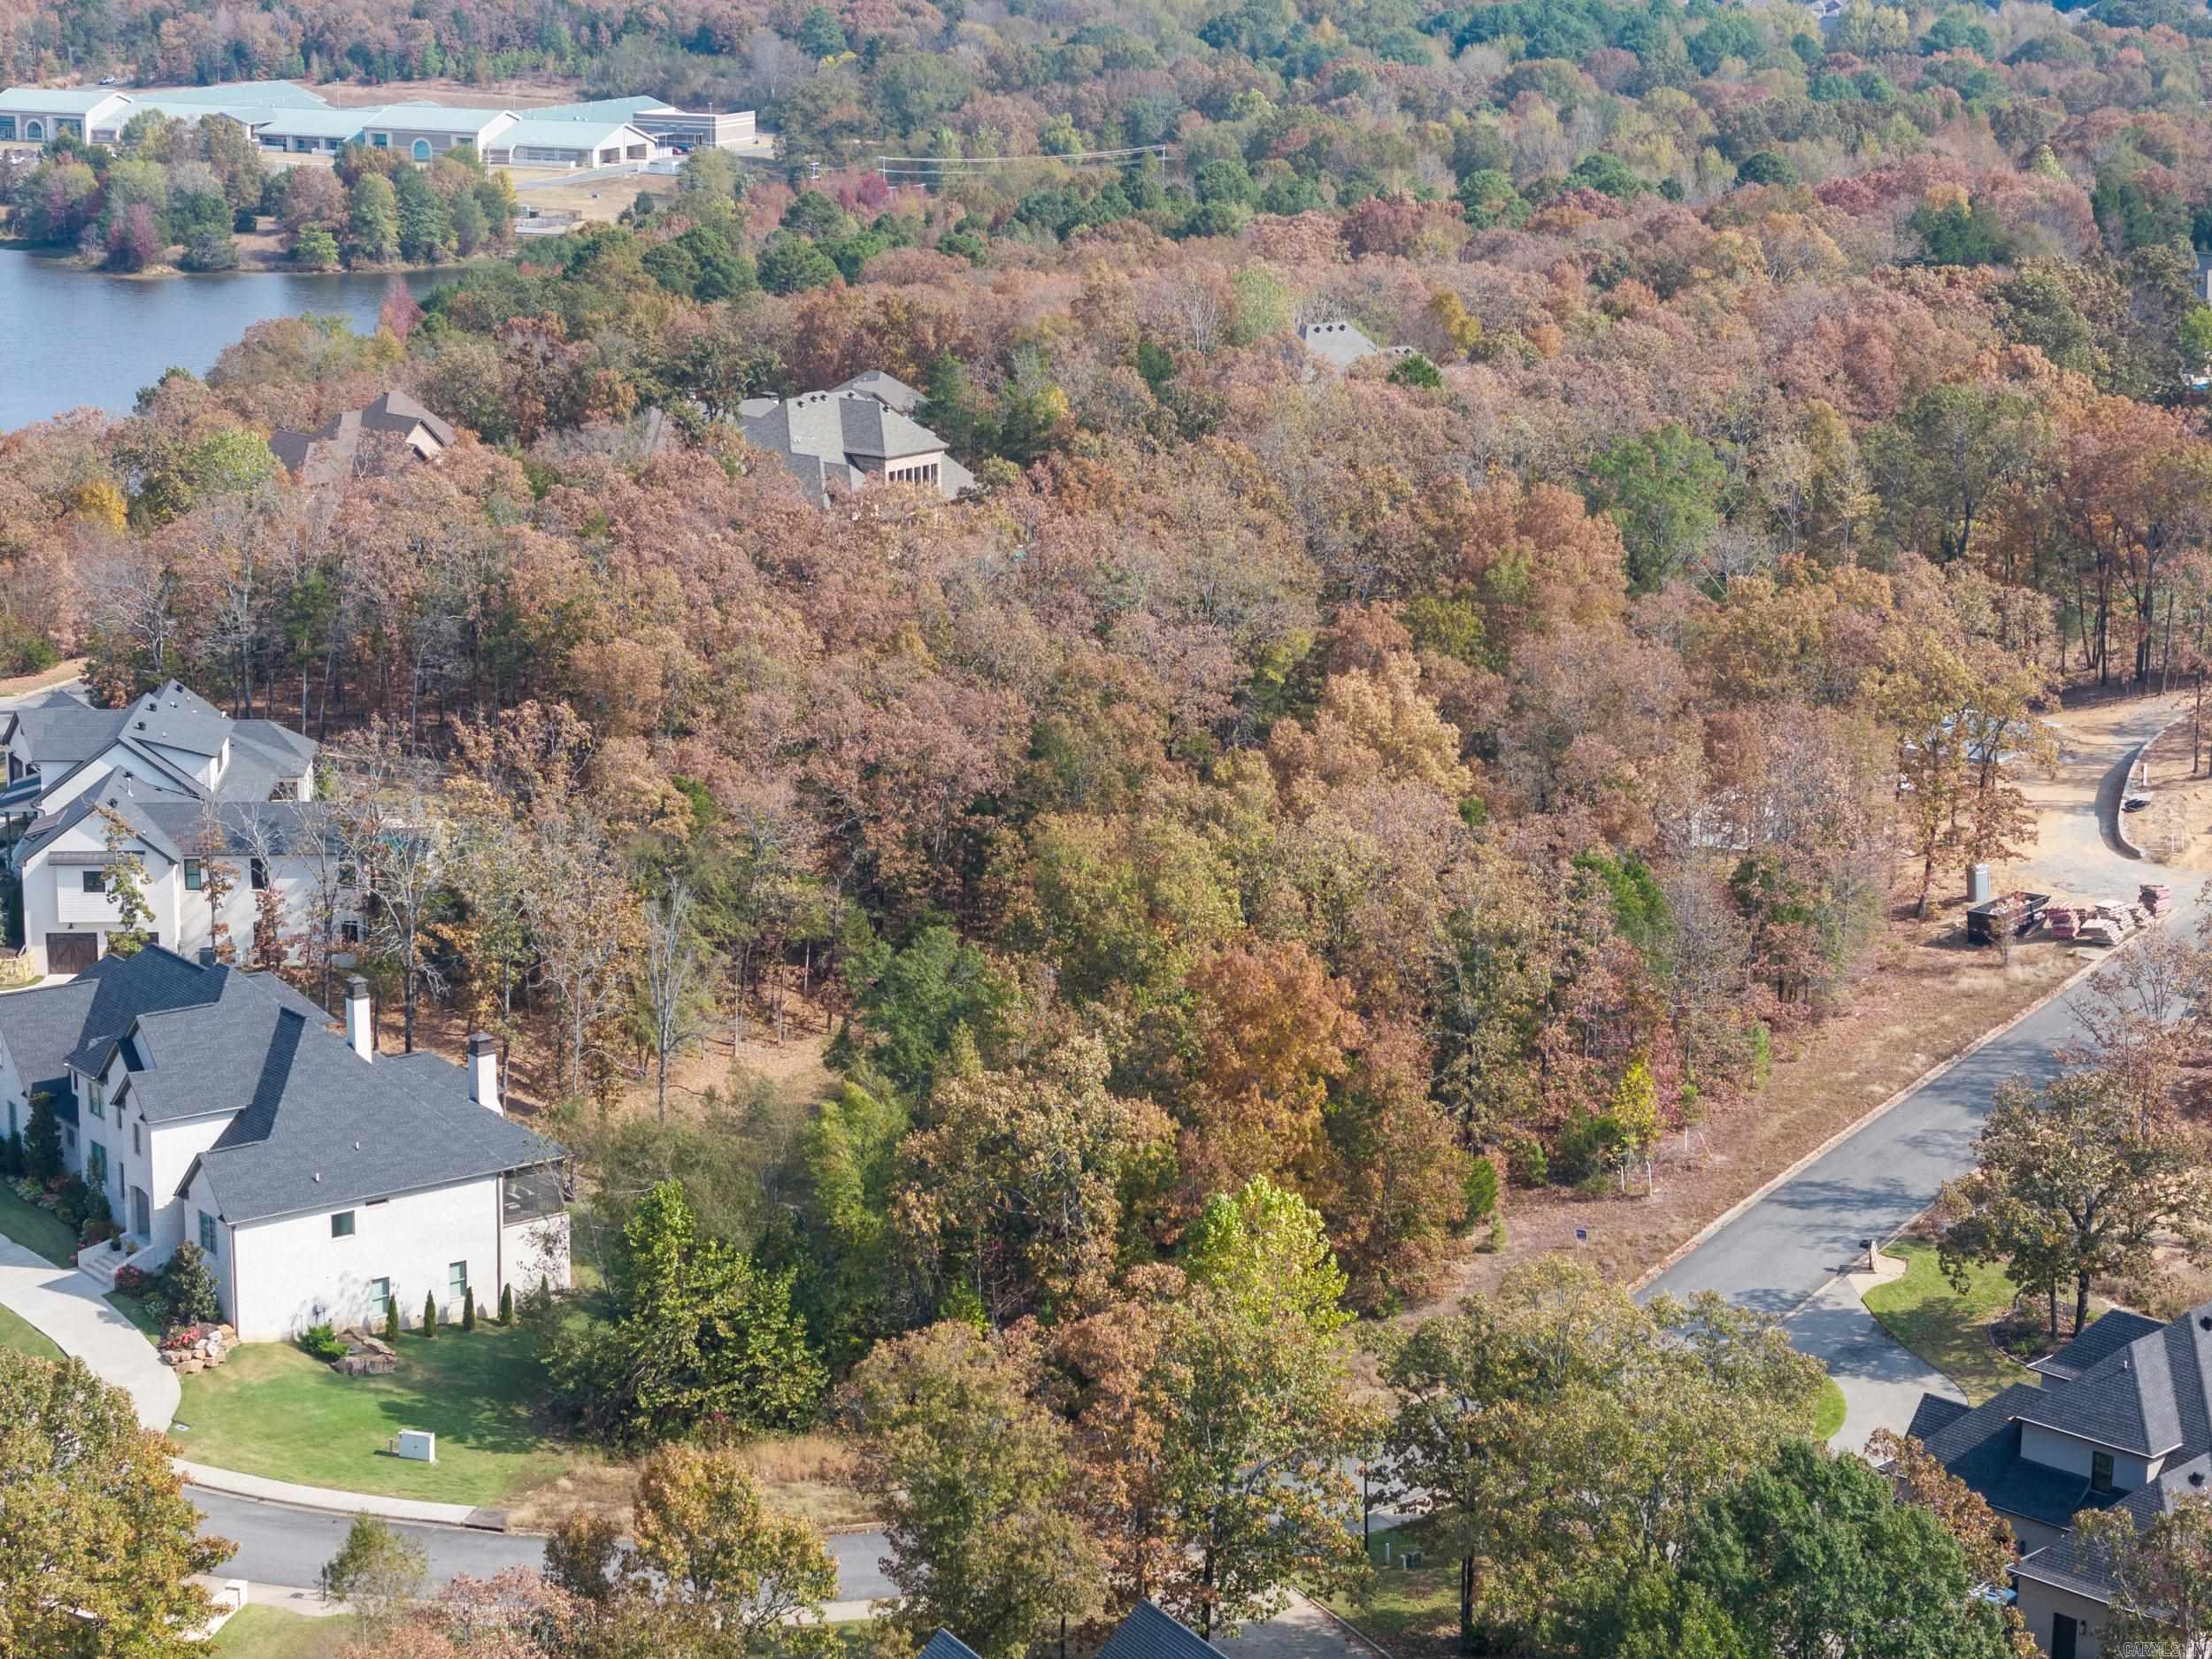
[2072,1185]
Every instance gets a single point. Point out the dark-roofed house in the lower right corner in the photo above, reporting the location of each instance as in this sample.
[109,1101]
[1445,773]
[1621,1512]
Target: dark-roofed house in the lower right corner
[2122,1421]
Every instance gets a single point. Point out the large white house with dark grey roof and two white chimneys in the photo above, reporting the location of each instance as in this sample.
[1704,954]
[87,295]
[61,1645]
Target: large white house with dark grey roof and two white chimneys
[322,1180]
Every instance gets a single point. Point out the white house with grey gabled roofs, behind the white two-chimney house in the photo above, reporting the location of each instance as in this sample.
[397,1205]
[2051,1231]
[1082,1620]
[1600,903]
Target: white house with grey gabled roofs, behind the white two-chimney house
[189,784]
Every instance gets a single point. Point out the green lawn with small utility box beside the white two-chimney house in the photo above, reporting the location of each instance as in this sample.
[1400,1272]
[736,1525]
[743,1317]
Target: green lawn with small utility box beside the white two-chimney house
[275,1412]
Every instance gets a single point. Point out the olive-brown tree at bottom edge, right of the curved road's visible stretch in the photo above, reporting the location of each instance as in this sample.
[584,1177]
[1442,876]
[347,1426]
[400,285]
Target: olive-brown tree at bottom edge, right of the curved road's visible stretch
[972,1477]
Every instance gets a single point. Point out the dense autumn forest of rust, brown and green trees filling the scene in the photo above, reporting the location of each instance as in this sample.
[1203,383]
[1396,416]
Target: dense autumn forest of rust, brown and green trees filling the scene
[1275,813]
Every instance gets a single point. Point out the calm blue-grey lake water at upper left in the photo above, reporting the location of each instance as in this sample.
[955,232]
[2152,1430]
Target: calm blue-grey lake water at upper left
[72,337]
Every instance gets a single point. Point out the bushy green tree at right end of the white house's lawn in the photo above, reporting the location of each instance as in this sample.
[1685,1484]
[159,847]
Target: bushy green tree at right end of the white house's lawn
[702,1335]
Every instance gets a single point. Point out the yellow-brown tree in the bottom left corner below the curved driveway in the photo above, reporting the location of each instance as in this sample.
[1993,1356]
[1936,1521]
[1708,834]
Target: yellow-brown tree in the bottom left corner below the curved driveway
[98,1543]
